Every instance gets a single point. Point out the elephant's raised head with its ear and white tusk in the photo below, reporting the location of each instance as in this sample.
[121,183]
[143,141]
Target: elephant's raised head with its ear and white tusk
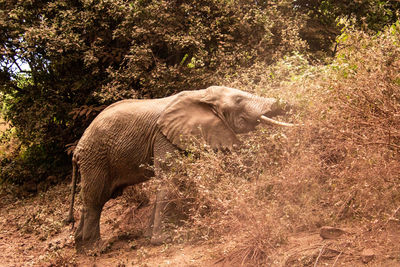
[216,114]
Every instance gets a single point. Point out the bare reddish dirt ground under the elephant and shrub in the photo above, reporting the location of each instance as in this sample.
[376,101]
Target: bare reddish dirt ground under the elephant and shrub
[33,234]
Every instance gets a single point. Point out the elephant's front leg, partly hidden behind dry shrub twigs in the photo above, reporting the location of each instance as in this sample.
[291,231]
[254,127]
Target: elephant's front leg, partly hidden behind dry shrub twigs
[163,151]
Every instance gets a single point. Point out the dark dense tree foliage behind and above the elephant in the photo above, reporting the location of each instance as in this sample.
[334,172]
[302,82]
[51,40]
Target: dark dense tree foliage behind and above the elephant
[63,60]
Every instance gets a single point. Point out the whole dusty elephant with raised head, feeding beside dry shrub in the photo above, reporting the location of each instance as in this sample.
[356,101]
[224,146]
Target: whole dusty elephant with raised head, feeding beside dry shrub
[128,136]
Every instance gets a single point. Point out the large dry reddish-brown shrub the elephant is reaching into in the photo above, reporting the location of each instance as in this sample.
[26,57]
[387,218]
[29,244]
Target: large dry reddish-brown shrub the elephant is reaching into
[340,168]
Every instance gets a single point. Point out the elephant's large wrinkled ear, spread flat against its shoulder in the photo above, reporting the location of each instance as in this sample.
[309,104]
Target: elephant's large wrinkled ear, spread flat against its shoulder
[191,115]
